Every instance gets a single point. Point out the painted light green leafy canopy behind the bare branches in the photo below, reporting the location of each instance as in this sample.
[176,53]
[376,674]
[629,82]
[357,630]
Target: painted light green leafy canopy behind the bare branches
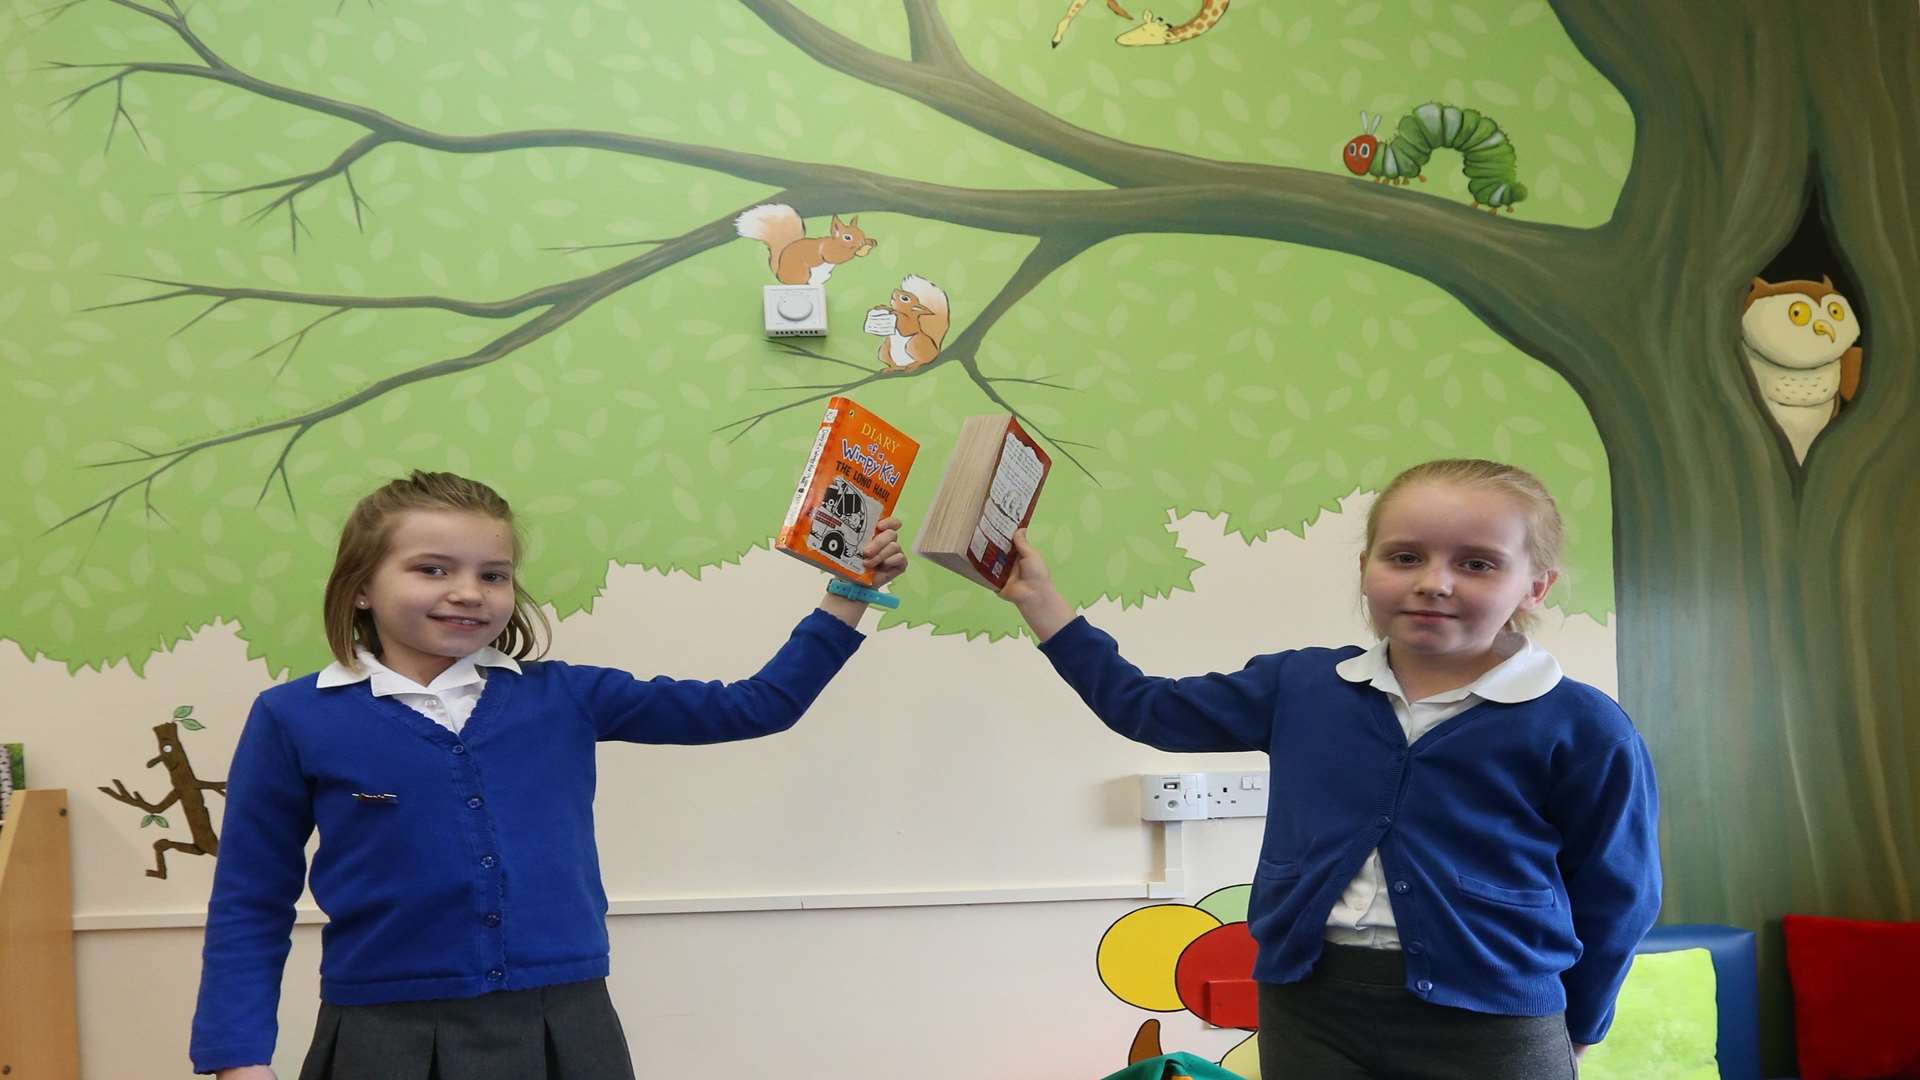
[1172,374]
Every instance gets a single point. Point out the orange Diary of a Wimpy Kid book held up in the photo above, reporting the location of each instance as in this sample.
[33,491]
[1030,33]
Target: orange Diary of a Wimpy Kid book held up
[852,481]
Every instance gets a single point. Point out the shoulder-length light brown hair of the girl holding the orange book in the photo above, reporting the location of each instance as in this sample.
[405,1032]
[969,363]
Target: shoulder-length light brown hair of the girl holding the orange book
[366,541]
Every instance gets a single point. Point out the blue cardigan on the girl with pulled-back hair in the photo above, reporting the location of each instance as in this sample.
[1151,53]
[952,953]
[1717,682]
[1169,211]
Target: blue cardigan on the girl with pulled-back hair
[1522,841]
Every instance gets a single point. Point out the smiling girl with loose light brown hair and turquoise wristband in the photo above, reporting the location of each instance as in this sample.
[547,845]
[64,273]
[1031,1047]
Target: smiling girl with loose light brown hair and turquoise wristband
[450,775]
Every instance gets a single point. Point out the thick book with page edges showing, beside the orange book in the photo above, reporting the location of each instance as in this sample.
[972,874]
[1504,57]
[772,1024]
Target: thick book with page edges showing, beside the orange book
[990,491]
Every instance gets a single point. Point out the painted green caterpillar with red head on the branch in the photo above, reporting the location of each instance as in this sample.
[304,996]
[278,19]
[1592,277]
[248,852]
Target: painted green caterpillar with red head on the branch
[1487,153]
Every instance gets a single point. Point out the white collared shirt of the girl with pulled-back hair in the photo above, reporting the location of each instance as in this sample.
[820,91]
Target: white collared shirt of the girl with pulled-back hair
[1366,916]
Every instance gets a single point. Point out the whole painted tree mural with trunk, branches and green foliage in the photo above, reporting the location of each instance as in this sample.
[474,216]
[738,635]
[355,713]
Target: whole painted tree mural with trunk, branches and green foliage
[360,239]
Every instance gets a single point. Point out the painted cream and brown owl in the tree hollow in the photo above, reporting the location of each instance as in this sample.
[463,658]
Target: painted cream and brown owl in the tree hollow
[1798,339]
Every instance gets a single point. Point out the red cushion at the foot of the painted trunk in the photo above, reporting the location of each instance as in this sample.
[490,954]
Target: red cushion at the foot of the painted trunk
[1856,998]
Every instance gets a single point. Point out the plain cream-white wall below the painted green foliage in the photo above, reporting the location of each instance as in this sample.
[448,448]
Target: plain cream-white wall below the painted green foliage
[932,766]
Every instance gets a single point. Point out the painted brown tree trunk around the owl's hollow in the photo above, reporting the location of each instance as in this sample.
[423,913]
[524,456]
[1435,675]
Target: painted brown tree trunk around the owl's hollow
[1767,637]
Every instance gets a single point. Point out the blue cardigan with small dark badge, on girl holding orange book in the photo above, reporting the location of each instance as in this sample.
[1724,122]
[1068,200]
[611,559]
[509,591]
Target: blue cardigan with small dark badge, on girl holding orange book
[479,871]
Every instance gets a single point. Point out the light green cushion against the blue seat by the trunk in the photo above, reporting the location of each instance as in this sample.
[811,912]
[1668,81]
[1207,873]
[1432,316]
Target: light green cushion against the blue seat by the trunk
[1664,1025]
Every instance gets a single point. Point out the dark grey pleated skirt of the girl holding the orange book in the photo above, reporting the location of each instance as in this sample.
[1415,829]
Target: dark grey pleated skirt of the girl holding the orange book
[552,1033]
